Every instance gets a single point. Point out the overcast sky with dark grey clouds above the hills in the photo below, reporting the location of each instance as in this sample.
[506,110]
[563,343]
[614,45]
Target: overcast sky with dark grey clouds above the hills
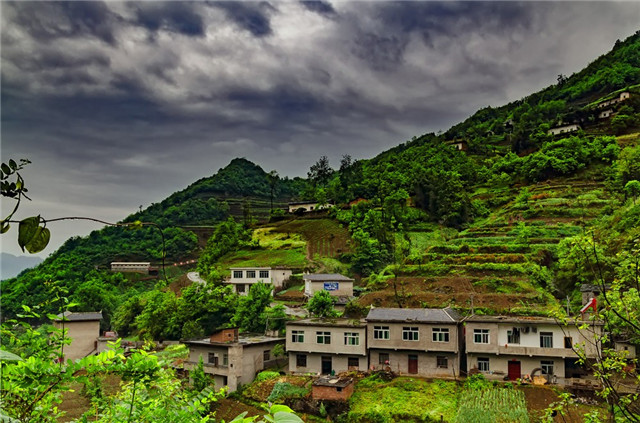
[120,104]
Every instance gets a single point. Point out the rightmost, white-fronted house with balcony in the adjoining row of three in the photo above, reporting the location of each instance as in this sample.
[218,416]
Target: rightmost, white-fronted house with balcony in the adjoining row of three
[510,347]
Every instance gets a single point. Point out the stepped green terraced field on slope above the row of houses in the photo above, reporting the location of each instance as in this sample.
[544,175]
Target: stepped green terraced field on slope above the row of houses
[498,264]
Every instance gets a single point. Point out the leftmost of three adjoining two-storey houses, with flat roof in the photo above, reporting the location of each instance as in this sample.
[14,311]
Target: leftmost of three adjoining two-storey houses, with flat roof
[326,346]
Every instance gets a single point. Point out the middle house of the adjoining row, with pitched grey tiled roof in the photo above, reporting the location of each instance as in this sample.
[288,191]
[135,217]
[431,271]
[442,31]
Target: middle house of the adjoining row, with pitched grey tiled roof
[421,342]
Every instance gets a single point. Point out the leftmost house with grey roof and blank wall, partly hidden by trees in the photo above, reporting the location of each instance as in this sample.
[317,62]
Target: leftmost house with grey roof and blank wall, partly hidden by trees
[83,328]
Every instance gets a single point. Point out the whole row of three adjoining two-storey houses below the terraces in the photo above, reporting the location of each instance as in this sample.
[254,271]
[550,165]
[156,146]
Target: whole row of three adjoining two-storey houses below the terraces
[440,343]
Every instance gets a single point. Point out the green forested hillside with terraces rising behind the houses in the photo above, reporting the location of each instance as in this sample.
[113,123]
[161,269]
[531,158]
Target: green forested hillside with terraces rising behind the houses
[496,208]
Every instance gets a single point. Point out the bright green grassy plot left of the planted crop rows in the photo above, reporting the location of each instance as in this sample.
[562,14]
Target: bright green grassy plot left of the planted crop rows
[403,399]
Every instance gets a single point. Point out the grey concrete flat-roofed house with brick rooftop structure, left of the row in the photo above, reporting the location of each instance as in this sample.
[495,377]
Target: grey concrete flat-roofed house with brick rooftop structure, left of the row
[232,359]
